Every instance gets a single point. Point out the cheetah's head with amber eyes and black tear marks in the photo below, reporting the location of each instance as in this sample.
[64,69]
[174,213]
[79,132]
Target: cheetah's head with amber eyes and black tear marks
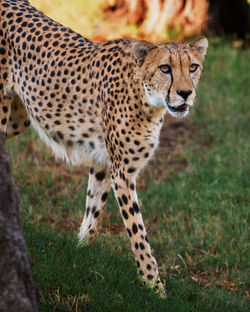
[170,73]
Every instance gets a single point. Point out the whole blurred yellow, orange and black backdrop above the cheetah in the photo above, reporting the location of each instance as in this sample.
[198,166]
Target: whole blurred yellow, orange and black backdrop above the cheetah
[155,20]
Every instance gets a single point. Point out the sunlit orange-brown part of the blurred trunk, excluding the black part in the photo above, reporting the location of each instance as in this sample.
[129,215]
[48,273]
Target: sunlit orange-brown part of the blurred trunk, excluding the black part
[155,17]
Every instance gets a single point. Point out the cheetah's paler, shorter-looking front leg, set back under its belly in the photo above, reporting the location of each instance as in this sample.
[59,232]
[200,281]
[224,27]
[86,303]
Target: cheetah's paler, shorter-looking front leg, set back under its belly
[98,188]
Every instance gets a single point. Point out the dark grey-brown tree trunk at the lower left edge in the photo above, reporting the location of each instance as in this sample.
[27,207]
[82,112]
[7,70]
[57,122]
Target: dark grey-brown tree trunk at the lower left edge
[18,291]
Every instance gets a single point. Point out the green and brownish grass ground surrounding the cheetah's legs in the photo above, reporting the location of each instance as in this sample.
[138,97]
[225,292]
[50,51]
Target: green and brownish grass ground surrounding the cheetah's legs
[197,222]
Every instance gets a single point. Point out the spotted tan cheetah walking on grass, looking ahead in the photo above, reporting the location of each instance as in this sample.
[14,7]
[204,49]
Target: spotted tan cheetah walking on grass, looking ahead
[97,104]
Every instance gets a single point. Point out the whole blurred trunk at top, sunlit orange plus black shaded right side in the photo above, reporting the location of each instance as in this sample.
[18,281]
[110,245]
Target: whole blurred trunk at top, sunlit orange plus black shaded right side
[176,19]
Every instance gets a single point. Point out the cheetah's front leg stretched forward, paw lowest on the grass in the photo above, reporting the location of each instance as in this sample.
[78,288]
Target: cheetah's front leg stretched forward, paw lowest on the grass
[125,192]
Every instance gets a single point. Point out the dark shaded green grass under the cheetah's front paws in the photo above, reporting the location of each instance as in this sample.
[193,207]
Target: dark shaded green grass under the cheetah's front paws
[99,278]
